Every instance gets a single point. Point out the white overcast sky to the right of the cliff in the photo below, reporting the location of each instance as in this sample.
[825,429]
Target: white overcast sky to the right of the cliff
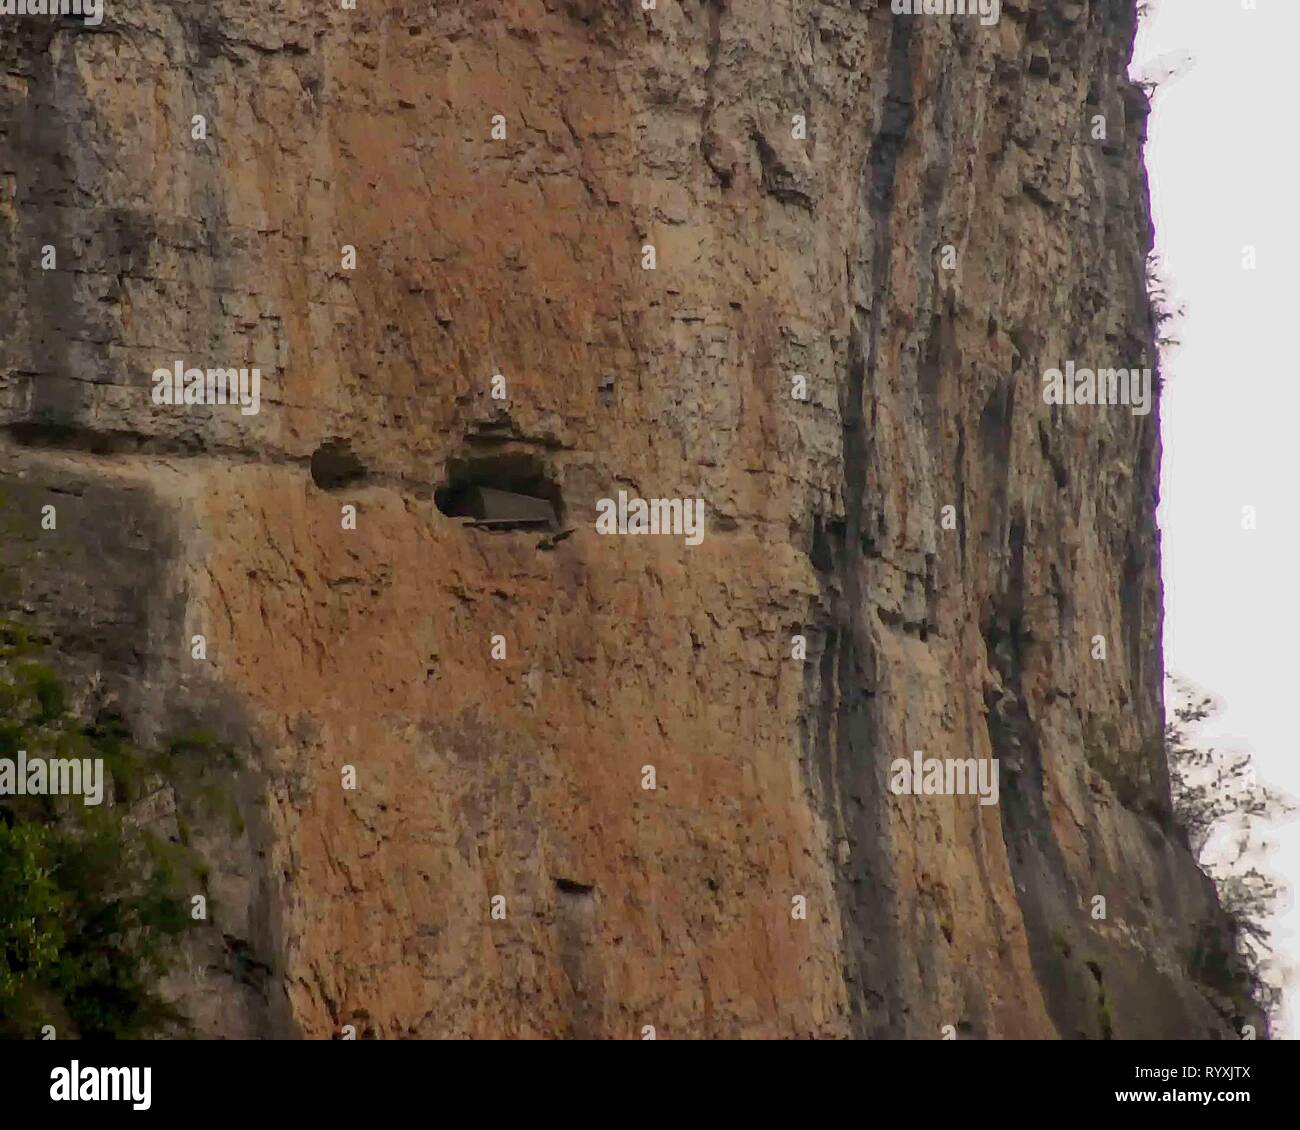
[1224,176]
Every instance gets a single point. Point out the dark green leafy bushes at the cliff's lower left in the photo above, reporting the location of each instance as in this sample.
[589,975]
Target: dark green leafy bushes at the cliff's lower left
[93,904]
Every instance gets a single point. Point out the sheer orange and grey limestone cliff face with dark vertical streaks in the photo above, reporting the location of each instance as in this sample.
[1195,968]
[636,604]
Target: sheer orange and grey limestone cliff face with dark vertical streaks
[523,257]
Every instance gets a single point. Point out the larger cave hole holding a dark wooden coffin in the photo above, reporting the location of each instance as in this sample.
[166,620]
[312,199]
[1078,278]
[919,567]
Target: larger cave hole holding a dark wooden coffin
[501,492]
